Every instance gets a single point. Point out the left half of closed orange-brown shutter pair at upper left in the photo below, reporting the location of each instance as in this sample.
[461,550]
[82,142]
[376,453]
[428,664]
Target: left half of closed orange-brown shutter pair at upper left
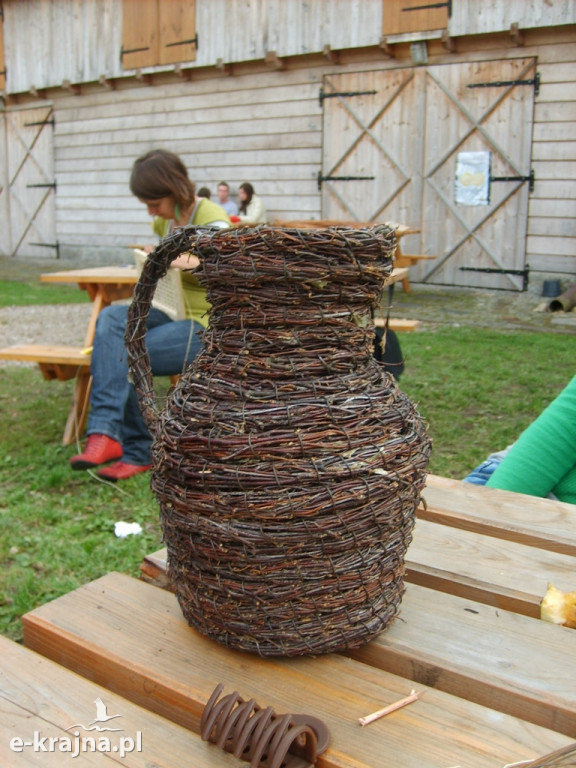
[139,33]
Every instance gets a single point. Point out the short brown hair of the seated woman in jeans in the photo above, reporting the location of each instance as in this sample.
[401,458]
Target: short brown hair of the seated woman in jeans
[159,174]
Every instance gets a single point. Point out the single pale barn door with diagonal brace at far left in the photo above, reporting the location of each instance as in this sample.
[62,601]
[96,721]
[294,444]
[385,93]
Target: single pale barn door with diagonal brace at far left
[31,187]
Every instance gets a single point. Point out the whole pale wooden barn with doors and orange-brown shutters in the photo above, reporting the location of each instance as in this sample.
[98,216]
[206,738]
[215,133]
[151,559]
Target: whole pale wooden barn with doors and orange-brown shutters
[456,118]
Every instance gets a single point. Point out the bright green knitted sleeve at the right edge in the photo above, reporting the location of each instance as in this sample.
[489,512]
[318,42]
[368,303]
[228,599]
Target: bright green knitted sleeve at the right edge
[543,459]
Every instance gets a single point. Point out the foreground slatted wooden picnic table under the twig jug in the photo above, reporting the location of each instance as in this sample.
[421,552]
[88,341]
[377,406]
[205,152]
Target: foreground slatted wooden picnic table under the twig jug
[496,684]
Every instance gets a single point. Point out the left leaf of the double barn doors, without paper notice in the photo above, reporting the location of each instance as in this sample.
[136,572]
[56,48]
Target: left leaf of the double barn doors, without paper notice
[372,146]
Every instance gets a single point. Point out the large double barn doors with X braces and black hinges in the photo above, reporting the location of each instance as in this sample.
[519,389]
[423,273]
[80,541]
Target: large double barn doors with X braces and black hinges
[412,139]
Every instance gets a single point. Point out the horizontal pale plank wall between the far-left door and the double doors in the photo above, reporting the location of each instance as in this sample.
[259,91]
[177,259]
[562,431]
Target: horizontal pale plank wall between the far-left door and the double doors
[263,128]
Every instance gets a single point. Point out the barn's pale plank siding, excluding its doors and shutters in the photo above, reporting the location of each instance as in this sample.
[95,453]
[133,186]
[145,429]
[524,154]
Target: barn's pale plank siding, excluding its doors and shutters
[253,123]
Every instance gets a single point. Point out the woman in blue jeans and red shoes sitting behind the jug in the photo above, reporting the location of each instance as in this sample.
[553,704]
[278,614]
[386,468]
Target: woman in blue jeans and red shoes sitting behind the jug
[116,429]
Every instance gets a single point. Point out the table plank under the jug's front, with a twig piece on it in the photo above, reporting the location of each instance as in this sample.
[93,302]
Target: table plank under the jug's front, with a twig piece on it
[132,636]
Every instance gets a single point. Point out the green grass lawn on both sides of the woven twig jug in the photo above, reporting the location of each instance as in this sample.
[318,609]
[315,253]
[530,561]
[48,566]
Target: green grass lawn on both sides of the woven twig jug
[476,388]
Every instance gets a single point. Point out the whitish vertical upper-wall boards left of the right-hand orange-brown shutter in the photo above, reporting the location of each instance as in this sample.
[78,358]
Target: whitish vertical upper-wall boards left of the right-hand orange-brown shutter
[87,34]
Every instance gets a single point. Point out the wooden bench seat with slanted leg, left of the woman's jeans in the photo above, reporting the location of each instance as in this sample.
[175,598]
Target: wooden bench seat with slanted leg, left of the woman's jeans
[62,363]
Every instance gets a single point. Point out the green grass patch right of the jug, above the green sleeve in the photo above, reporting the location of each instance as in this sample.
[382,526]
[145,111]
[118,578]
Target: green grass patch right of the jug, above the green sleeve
[478,389]
